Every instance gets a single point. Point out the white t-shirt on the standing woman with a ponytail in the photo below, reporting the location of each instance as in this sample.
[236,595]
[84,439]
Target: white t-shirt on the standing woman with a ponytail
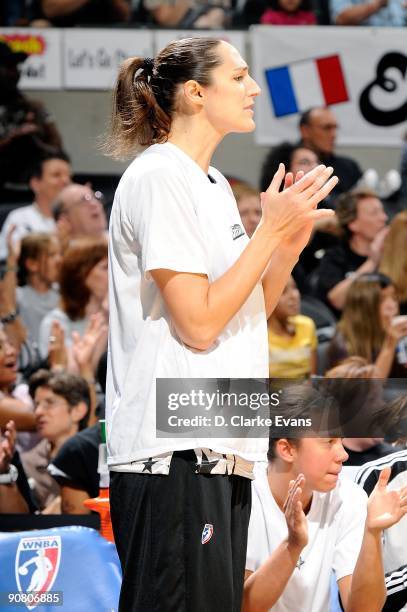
[168,214]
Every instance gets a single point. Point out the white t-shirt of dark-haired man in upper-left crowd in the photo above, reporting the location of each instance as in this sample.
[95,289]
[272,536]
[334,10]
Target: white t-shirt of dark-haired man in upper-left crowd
[27,219]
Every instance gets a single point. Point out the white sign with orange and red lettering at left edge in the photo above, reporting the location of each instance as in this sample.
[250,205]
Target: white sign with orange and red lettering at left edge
[43,68]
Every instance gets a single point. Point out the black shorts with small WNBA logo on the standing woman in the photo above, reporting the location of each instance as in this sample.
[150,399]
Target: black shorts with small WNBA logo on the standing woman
[181,538]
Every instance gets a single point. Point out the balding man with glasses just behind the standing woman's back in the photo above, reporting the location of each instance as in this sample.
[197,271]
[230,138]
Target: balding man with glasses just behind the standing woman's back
[78,211]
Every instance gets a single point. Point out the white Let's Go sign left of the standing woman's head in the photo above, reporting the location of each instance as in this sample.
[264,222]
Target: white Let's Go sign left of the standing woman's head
[92,57]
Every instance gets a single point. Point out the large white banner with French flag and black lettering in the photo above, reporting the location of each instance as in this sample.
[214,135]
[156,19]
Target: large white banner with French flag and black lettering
[361,73]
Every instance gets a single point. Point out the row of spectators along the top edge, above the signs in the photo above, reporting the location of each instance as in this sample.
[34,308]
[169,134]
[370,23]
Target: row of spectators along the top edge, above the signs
[202,13]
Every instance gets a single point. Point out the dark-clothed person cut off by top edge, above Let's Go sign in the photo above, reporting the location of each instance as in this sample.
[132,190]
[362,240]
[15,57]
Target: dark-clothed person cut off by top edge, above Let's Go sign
[65,13]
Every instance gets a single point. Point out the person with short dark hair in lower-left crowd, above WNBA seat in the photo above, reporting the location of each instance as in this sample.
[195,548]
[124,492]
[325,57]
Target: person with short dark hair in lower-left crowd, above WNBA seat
[61,409]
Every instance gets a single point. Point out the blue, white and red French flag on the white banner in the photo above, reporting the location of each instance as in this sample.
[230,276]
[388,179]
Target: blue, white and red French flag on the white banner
[306,83]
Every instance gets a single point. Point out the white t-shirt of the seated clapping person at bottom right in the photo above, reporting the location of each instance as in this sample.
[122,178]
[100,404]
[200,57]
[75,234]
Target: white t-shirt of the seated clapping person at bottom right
[335,530]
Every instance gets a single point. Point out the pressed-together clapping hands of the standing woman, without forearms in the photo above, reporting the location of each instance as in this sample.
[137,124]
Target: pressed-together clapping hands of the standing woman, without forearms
[291,213]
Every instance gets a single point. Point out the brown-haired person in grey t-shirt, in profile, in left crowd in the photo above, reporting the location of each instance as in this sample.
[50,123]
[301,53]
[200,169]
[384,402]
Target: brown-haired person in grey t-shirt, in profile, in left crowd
[38,271]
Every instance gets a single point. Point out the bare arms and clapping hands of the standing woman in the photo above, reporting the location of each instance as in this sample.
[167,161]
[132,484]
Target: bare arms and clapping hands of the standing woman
[199,309]
